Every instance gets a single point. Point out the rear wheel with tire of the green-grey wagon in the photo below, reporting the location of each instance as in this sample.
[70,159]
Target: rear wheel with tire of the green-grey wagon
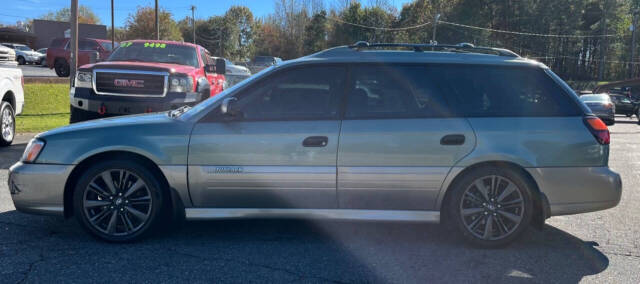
[491,206]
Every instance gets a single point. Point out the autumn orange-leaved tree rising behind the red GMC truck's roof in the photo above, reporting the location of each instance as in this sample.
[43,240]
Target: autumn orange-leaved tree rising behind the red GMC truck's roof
[141,25]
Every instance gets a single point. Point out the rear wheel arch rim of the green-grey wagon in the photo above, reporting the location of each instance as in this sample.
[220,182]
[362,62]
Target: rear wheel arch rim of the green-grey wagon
[541,205]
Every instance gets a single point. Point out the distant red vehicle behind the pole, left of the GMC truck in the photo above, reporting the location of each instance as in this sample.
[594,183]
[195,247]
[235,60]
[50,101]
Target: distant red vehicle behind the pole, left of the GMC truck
[89,51]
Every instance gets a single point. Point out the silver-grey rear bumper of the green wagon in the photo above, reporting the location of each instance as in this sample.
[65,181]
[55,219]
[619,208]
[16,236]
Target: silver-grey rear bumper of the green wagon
[574,190]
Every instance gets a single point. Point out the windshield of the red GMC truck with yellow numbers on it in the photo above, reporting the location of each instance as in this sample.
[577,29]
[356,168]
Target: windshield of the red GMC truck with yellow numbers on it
[156,52]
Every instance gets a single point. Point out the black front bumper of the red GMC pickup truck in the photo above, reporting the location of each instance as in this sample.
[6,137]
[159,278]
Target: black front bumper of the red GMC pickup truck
[87,99]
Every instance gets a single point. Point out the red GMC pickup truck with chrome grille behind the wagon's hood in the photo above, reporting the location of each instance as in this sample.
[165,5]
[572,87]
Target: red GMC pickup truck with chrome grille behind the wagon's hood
[146,76]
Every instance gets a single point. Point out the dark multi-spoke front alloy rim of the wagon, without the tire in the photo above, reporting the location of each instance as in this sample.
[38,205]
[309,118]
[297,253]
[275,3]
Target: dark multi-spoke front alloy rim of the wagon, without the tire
[117,202]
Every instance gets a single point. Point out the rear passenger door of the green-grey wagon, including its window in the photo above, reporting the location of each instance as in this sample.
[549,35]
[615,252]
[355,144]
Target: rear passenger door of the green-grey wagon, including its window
[398,140]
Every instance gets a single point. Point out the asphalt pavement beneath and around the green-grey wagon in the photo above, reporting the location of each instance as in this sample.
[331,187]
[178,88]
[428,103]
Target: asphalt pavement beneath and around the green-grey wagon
[595,247]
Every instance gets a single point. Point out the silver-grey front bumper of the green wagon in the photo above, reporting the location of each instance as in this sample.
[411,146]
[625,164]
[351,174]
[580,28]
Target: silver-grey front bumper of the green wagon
[38,188]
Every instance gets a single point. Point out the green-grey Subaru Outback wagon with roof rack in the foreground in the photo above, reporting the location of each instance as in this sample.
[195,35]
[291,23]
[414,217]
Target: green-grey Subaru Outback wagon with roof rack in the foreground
[479,138]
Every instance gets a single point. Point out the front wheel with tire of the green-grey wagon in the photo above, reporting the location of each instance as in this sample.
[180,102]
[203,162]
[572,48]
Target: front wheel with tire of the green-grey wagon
[118,200]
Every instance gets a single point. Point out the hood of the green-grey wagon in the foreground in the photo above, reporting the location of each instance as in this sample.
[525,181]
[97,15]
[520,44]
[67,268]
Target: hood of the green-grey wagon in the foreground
[101,124]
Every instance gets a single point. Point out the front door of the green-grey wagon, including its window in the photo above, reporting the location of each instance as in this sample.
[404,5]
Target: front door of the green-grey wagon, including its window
[278,150]
